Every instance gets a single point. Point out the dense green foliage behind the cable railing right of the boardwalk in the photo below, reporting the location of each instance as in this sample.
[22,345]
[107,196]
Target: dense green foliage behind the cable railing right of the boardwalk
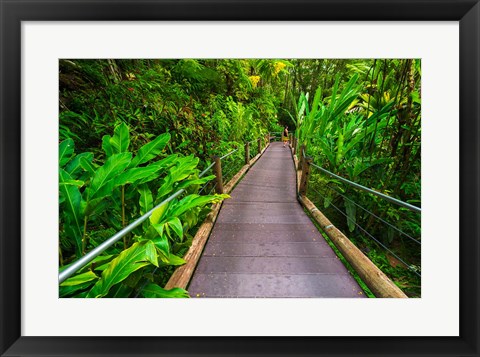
[368,130]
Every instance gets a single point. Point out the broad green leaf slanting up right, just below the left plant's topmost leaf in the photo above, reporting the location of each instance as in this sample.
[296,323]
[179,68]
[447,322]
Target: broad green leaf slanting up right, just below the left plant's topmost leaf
[103,180]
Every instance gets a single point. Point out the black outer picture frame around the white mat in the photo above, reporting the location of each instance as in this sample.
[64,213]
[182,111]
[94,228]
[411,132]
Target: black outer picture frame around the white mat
[467,12]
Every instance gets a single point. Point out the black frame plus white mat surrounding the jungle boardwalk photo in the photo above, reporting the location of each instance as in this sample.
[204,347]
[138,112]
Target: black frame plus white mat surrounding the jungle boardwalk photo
[443,34]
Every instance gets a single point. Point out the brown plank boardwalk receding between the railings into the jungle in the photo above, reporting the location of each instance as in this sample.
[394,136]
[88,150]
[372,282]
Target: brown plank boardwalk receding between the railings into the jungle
[264,245]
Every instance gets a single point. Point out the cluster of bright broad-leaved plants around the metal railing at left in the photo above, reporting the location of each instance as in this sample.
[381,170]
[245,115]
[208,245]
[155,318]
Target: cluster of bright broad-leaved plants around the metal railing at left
[113,192]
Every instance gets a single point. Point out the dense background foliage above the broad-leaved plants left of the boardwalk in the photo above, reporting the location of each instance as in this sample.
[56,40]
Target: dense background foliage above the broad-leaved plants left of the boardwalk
[200,102]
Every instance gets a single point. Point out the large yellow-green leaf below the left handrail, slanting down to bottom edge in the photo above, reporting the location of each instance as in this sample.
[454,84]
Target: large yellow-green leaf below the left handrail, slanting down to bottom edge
[127,262]
